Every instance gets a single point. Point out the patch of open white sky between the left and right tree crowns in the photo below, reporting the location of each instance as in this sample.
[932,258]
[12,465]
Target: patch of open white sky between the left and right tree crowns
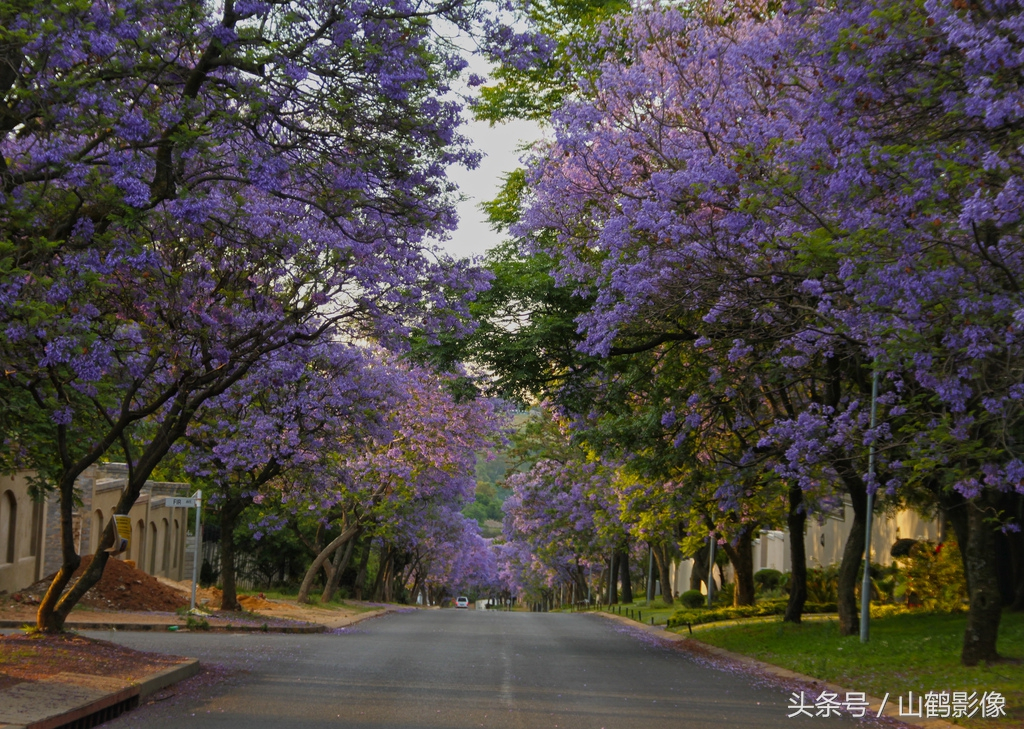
[499,145]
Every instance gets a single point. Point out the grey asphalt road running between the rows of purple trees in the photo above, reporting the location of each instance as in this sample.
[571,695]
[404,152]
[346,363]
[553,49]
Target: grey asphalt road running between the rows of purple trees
[455,669]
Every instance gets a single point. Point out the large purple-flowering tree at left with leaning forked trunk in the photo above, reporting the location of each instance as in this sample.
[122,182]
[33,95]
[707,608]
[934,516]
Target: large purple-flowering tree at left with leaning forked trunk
[188,188]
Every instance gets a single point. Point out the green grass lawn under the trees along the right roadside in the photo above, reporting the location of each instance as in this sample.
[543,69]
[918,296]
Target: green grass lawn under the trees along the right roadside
[917,653]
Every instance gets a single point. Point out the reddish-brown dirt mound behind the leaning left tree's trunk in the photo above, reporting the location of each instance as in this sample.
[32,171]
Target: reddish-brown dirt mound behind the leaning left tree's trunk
[122,588]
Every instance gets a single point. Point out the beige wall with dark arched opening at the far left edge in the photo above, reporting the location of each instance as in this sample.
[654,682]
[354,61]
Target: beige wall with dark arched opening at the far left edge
[23,525]
